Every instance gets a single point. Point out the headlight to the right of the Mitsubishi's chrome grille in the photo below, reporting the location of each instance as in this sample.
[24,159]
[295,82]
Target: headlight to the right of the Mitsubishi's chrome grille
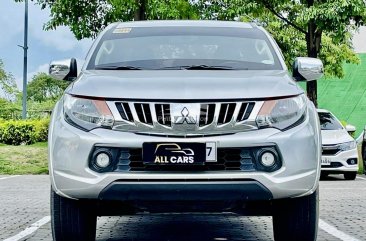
[282,113]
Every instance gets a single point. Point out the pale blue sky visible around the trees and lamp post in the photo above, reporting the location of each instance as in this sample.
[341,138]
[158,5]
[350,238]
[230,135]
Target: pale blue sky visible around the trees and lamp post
[45,46]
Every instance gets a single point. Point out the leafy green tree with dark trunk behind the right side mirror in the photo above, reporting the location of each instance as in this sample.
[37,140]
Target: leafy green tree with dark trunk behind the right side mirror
[324,25]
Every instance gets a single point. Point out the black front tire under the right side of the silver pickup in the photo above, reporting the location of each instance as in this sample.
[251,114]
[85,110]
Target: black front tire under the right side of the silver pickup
[296,218]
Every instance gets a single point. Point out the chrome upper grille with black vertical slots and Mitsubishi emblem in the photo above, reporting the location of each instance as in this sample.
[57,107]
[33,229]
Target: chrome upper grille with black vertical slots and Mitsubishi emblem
[185,119]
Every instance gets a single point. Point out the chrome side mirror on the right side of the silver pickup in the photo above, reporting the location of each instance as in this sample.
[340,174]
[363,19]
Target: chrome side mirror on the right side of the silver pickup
[307,69]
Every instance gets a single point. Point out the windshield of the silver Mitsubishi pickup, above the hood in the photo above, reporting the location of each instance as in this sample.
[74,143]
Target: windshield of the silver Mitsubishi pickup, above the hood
[184,48]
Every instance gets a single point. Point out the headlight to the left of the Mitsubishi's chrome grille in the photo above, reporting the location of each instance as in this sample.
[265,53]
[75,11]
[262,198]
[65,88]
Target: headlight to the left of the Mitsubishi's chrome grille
[87,113]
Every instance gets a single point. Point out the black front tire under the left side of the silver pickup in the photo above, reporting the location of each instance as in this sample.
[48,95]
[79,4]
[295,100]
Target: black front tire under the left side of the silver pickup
[72,219]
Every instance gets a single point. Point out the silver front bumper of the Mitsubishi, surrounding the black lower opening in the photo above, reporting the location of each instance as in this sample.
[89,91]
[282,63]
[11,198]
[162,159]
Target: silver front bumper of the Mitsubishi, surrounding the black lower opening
[69,150]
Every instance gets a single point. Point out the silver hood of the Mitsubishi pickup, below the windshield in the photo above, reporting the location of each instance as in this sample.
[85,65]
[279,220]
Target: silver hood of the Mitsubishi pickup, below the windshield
[184,84]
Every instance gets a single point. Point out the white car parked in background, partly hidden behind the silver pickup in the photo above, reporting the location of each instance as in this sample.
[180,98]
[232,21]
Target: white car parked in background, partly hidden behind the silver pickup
[339,154]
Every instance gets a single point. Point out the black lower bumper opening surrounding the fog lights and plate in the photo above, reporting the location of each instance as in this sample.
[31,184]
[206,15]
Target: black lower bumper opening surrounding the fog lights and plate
[244,159]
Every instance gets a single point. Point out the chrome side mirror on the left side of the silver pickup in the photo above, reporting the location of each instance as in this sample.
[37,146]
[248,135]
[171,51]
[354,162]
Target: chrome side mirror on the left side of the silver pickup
[64,69]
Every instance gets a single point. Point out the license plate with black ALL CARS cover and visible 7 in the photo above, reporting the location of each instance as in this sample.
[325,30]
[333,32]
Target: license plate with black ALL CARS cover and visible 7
[179,153]
